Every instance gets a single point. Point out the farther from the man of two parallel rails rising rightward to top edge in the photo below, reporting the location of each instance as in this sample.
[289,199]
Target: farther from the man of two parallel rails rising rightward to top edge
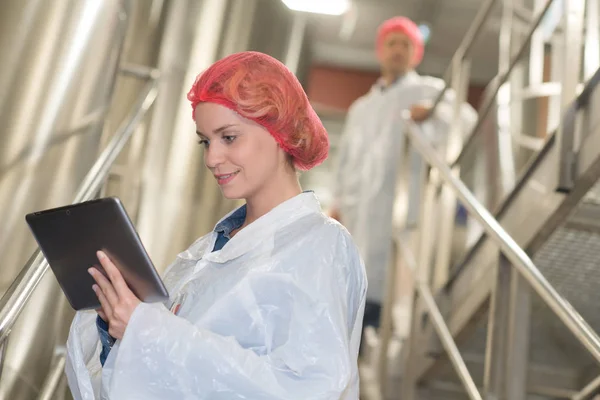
[498,81]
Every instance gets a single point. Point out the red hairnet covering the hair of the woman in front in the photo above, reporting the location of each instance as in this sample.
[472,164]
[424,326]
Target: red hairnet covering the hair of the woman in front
[260,88]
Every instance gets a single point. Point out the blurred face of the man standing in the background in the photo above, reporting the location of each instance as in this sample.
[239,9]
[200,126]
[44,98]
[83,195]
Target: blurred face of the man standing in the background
[395,54]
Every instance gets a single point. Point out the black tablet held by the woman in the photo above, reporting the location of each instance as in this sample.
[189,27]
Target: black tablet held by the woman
[69,238]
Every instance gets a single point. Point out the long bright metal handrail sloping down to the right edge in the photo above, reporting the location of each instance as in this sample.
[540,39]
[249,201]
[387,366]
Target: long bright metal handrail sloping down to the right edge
[517,256]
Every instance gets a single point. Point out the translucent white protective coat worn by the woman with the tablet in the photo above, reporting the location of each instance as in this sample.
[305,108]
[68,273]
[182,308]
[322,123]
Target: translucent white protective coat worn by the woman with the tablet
[275,314]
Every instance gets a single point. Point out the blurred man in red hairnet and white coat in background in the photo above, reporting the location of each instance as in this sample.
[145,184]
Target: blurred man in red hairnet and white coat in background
[371,147]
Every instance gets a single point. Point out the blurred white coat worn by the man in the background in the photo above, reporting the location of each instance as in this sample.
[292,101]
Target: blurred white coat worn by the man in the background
[369,158]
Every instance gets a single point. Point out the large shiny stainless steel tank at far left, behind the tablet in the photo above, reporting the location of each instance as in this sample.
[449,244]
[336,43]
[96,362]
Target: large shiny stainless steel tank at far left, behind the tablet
[59,75]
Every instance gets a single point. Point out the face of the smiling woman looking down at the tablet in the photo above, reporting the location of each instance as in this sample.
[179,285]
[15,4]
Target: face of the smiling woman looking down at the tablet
[242,155]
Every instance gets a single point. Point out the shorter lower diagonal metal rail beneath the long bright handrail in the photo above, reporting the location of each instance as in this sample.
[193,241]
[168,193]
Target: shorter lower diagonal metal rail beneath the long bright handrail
[440,327]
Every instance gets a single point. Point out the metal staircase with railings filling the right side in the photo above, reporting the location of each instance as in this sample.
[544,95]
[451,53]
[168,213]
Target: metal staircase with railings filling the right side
[510,312]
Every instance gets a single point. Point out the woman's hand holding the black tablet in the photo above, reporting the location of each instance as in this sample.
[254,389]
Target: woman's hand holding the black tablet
[117,300]
